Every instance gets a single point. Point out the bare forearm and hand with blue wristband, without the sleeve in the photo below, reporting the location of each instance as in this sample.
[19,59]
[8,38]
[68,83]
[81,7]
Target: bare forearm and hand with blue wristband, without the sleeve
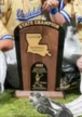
[52,7]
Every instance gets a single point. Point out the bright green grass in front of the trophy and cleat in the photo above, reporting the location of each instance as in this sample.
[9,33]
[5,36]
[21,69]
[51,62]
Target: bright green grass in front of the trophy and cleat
[10,106]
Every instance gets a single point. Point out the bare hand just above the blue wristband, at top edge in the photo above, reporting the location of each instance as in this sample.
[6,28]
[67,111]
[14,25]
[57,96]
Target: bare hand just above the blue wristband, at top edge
[48,4]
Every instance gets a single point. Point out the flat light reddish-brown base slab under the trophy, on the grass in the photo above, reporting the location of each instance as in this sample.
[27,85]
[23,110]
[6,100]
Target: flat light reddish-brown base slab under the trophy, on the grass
[51,94]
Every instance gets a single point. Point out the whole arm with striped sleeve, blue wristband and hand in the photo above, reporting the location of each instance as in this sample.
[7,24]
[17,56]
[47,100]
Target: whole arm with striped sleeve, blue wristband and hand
[59,17]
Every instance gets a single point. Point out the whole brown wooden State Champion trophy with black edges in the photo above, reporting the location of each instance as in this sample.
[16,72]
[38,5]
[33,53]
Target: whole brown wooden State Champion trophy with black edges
[38,47]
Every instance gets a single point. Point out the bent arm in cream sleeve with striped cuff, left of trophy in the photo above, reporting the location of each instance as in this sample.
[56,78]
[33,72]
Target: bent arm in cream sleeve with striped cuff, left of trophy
[6,40]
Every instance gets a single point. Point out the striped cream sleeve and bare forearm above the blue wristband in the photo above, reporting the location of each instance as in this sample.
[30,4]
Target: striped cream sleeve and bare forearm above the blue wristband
[64,16]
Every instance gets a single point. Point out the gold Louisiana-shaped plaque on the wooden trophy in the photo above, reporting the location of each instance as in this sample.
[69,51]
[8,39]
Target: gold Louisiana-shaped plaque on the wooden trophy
[34,45]
